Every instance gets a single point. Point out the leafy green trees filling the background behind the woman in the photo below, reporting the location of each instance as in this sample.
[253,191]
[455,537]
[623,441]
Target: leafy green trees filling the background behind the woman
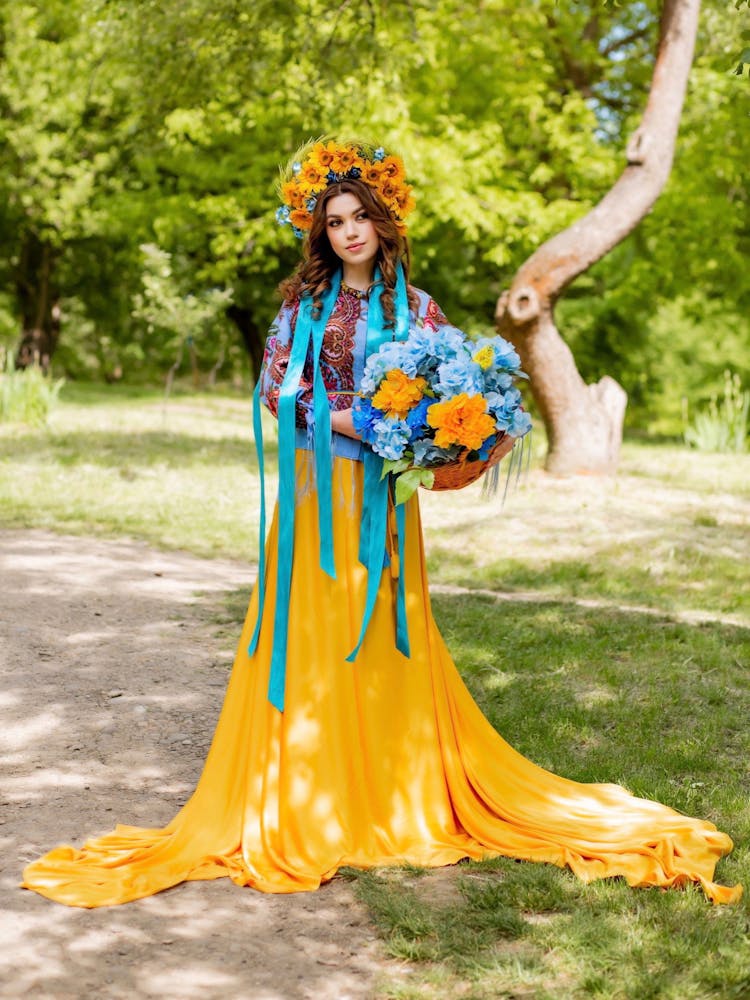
[140,144]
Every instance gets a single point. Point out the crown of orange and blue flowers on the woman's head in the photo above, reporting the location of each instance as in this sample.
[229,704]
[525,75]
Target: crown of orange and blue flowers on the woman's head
[321,163]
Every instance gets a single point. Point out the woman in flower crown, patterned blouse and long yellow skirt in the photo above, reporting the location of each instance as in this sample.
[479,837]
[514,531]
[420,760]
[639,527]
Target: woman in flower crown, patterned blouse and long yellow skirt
[347,736]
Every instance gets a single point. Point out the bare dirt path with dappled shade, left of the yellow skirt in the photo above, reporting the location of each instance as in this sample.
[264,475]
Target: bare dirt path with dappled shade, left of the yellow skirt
[112,675]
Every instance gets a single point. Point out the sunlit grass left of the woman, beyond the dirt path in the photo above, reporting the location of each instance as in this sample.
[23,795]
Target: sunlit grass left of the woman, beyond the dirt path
[114,461]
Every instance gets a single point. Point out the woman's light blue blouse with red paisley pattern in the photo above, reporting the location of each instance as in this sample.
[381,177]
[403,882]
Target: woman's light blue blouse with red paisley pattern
[342,359]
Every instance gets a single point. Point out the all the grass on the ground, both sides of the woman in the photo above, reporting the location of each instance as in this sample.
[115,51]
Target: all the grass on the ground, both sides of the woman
[631,690]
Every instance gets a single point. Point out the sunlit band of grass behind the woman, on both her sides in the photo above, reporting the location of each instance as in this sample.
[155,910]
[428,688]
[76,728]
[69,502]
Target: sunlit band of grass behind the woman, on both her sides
[670,531]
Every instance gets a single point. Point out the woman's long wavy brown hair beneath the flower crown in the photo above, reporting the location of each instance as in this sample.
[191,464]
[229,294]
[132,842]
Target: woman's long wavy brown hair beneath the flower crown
[313,274]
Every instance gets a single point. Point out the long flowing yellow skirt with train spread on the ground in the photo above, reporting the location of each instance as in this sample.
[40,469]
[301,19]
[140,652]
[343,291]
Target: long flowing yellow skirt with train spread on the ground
[383,761]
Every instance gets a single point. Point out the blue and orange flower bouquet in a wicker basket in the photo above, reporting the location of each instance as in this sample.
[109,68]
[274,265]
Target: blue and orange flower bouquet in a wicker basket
[439,401]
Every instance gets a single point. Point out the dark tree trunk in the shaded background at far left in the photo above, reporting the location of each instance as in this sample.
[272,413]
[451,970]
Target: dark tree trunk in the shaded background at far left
[39,301]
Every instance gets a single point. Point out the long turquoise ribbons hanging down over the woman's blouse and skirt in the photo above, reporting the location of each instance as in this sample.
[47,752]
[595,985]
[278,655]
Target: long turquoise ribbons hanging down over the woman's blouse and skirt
[308,339]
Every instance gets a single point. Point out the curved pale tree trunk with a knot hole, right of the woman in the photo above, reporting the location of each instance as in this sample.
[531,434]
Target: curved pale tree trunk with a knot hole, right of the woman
[584,422]
